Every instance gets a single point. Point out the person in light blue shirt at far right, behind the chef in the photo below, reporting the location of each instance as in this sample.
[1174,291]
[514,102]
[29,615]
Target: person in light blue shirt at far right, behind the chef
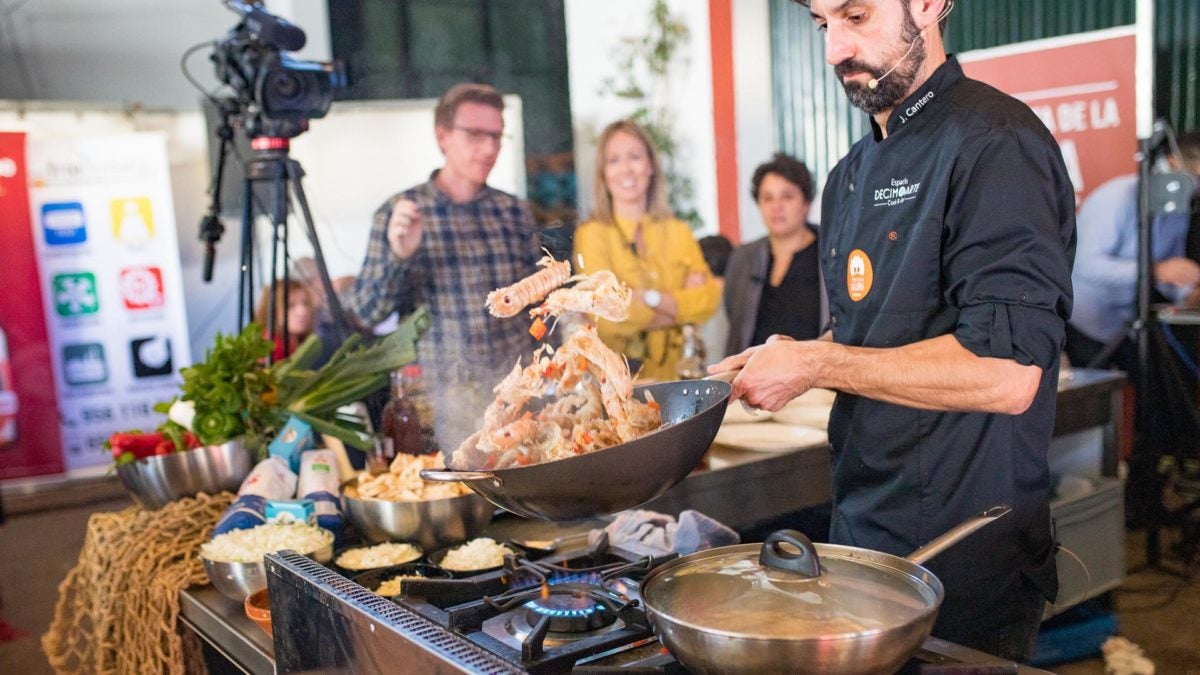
[1106,274]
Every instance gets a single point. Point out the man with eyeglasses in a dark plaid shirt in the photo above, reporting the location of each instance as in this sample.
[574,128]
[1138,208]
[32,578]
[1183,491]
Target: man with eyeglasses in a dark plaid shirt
[446,244]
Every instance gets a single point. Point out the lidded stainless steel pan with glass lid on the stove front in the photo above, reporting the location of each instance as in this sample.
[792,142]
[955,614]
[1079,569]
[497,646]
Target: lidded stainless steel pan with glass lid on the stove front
[817,608]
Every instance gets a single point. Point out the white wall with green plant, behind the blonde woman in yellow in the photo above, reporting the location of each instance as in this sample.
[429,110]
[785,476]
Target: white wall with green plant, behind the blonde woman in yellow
[593,32]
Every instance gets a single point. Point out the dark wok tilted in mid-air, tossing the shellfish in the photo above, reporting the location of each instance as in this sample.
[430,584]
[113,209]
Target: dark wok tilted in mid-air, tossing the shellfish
[619,477]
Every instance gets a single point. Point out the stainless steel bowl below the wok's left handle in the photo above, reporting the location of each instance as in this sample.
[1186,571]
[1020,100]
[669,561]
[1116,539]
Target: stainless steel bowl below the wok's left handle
[434,524]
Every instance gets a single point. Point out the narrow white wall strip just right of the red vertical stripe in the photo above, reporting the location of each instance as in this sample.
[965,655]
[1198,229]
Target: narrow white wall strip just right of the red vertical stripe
[755,105]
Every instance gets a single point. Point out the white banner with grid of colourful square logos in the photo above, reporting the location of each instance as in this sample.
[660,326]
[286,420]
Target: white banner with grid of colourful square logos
[104,226]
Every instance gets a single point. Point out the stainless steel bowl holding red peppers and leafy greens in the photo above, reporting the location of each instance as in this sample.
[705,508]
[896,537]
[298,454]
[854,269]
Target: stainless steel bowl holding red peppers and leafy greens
[158,481]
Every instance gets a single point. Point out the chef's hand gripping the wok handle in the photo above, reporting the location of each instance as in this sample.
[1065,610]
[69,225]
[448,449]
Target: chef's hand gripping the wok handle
[773,374]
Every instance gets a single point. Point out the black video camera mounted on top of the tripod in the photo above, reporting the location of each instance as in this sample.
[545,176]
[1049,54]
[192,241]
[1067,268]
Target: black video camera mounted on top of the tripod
[275,94]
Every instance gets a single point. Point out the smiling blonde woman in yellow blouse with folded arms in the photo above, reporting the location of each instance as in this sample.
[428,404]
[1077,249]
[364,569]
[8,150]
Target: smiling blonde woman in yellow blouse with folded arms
[633,232]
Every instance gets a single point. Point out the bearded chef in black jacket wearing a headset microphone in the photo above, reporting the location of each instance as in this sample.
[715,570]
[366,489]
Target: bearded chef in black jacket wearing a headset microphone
[947,238]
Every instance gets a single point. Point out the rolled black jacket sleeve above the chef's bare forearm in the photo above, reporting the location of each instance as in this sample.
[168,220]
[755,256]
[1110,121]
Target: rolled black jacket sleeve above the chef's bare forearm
[1007,264]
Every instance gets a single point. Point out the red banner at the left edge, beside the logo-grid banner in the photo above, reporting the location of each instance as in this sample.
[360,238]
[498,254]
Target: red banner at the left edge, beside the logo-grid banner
[37,446]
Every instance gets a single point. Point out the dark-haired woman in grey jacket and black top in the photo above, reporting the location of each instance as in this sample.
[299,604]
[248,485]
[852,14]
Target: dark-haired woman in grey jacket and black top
[773,285]
